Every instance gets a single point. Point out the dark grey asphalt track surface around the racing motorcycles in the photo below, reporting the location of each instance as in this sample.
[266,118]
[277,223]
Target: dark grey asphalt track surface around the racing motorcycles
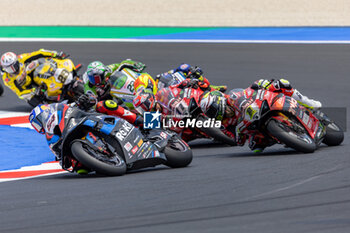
[224,189]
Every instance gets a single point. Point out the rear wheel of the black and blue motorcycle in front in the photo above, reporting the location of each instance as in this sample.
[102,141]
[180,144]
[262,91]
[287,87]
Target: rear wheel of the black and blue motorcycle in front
[177,153]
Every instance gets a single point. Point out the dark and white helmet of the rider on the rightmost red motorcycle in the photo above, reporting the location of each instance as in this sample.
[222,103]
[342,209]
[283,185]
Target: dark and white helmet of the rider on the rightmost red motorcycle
[213,104]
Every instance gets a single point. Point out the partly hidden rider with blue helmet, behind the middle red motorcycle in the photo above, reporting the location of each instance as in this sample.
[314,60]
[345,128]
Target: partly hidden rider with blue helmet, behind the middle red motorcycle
[192,72]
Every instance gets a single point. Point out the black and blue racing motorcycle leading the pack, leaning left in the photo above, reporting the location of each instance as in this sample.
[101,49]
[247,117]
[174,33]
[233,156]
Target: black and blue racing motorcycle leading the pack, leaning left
[110,145]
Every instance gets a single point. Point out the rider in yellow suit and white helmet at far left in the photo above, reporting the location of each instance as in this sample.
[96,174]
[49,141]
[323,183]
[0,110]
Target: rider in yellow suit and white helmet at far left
[18,70]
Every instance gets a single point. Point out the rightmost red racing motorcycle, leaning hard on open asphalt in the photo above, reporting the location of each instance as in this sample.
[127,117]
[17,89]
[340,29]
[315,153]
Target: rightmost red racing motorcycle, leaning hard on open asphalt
[270,118]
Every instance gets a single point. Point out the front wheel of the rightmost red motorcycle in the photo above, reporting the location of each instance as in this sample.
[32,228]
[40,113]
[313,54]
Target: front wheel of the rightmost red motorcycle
[299,141]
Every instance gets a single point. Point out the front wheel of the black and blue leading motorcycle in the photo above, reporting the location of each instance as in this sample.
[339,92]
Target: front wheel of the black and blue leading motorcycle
[114,167]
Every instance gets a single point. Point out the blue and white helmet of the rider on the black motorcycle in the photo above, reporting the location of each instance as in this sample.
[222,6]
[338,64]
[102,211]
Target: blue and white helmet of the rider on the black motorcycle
[38,116]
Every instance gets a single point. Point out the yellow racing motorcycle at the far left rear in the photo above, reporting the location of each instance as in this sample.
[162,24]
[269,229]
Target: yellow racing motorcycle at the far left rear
[55,80]
